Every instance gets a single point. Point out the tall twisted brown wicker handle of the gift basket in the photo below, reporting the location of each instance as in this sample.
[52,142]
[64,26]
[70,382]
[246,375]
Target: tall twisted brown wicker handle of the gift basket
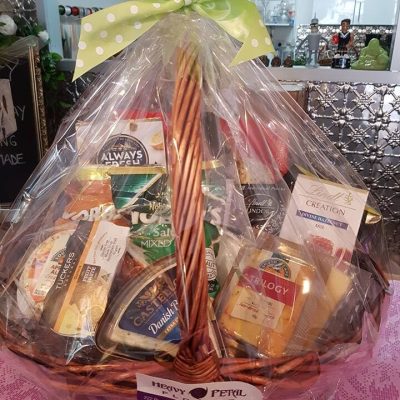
[196,360]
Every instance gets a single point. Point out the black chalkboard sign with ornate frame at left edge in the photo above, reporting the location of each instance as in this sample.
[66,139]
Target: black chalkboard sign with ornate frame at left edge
[23,137]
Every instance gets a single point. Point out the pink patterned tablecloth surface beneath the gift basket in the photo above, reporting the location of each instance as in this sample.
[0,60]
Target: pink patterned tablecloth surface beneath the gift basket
[378,379]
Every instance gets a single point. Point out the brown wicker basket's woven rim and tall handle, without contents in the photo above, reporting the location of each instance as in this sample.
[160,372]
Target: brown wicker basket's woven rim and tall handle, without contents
[196,360]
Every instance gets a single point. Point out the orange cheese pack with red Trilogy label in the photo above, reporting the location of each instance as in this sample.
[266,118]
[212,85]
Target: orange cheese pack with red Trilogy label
[268,301]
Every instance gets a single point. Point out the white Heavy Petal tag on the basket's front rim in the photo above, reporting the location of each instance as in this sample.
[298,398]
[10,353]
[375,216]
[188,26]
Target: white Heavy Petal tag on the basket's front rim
[151,388]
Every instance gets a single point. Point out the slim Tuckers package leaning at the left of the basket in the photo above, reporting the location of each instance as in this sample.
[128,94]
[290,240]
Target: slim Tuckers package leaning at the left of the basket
[76,301]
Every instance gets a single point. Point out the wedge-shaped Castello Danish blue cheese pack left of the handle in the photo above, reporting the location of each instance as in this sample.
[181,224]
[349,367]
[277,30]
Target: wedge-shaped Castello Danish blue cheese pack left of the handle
[142,322]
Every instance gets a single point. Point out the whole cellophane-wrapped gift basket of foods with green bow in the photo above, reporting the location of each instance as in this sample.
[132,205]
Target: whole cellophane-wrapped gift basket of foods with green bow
[191,233]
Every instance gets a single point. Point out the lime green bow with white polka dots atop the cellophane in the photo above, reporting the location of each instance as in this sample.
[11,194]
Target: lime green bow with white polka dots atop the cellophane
[109,31]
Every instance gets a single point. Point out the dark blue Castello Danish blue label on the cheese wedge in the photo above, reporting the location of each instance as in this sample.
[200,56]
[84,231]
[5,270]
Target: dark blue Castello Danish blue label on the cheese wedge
[154,311]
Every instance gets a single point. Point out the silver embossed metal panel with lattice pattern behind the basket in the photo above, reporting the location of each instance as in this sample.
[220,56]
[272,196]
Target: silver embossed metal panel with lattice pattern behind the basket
[363,122]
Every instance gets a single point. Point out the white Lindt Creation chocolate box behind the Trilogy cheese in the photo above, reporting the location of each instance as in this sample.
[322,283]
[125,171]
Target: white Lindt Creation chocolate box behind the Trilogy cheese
[325,214]
